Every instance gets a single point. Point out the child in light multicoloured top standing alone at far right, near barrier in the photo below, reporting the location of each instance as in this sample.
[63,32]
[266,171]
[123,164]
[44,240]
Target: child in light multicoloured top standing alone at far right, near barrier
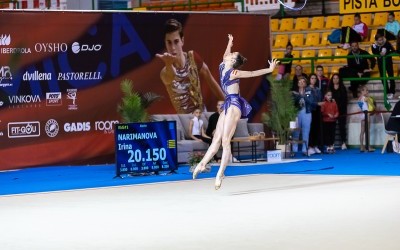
[366,103]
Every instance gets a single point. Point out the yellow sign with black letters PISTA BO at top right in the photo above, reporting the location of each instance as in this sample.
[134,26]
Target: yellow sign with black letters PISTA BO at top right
[356,6]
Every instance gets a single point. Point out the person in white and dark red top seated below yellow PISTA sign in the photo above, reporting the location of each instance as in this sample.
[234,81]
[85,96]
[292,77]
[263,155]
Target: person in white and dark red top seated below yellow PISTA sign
[357,33]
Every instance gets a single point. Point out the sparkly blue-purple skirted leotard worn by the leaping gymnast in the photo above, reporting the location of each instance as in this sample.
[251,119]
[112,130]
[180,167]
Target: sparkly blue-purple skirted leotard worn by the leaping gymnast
[232,99]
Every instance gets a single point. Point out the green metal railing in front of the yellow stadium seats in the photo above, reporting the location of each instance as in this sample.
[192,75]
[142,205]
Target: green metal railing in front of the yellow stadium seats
[383,78]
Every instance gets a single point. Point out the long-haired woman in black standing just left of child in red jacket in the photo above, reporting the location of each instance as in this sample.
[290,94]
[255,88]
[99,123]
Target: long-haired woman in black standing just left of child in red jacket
[316,126]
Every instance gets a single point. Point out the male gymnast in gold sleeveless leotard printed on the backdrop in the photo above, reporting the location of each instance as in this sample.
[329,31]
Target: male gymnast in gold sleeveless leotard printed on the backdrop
[183,71]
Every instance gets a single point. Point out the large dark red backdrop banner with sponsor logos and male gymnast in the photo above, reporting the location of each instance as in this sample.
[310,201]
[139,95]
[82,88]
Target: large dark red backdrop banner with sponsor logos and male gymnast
[60,75]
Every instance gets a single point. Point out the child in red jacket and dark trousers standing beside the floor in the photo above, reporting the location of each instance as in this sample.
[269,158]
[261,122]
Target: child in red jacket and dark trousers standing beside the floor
[330,113]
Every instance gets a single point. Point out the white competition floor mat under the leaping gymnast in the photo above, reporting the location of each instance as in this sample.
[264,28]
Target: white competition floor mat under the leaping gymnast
[279,212]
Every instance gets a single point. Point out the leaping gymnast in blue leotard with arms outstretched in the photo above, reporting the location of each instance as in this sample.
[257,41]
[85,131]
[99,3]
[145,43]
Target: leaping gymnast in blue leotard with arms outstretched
[234,108]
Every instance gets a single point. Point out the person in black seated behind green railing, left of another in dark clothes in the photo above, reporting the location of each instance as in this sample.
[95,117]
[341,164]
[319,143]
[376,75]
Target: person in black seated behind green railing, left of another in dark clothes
[357,67]
